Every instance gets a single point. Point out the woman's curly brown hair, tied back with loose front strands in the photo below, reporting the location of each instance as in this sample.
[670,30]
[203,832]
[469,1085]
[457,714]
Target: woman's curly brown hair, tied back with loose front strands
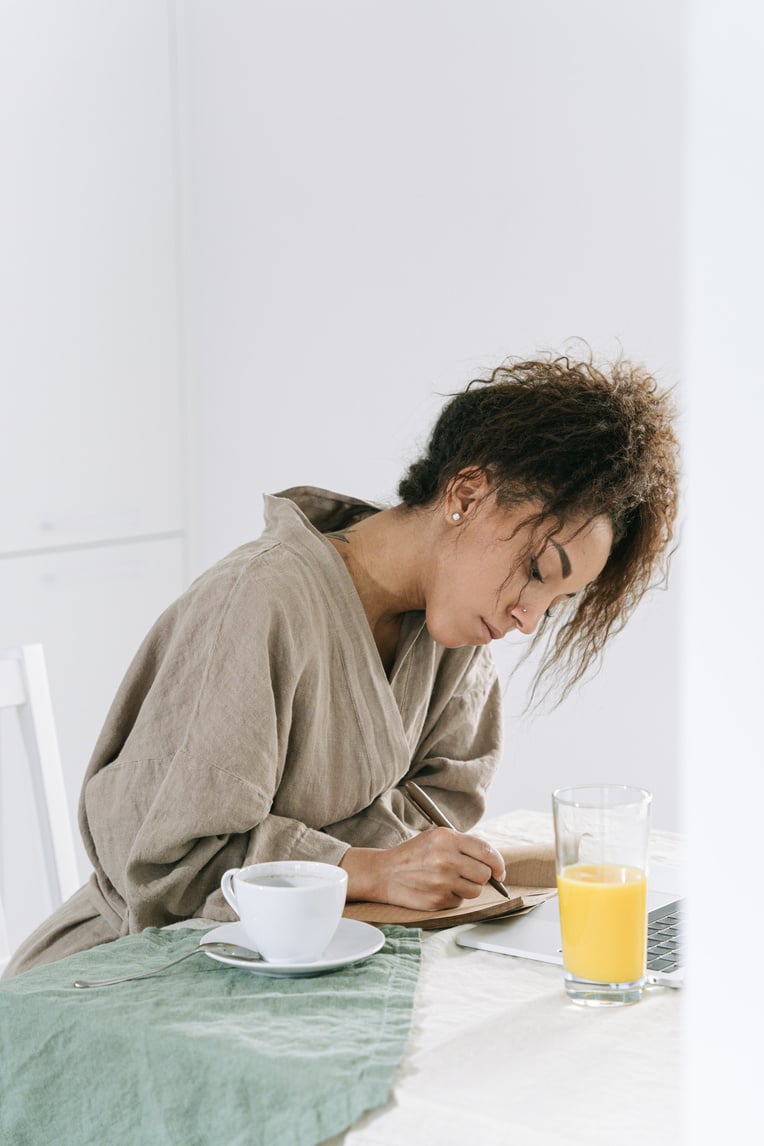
[582,442]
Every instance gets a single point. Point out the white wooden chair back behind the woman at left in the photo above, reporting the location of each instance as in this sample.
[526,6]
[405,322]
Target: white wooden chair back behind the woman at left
[25,688]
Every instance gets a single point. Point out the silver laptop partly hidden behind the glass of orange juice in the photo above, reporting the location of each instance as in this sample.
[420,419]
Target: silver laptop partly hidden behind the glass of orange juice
[537,936]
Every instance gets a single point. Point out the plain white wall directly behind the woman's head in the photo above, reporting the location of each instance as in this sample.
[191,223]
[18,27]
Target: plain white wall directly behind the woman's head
[383,200]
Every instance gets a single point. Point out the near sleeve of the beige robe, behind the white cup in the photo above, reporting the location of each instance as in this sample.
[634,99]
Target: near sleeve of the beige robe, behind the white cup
[187,792]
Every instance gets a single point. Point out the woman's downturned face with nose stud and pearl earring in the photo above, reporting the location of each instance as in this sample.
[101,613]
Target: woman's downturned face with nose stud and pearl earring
[485,582]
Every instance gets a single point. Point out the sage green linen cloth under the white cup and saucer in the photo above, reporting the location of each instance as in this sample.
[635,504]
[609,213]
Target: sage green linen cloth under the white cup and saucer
[204,1054]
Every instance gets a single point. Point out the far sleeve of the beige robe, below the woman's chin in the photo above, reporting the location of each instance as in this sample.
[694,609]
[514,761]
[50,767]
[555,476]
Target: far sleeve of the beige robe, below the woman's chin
[455,760]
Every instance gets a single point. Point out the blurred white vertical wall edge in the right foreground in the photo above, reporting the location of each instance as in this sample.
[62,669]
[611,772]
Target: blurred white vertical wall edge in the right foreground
[722,622]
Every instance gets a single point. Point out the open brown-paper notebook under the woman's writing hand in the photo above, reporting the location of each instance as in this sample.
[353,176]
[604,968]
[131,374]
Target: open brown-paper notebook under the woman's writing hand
[530,881]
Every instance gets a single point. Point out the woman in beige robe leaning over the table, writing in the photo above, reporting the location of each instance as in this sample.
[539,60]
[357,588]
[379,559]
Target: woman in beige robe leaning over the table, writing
[275,710]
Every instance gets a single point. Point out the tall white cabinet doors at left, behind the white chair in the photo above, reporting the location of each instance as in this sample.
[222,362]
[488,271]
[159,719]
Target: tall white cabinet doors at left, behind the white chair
[91,490]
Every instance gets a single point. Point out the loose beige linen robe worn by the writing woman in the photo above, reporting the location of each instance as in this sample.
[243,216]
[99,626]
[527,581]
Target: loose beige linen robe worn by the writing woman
[257,723]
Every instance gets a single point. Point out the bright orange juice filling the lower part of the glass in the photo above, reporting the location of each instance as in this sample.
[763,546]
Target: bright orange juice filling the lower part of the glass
[604,921]
